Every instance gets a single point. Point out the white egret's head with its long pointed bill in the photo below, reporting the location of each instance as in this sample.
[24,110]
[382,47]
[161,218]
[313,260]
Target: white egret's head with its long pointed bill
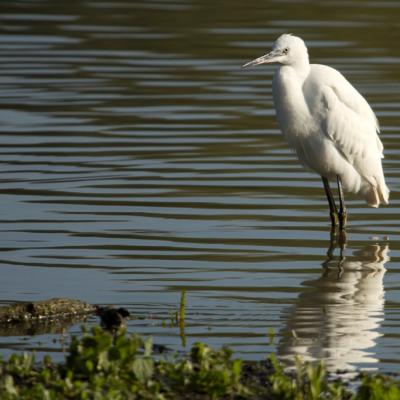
[286,50]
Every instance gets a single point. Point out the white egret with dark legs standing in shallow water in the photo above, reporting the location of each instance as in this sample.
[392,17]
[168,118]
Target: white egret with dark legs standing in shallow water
[328,123]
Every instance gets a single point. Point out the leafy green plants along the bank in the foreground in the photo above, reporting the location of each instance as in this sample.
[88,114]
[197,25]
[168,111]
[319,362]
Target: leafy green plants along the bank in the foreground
[122,367]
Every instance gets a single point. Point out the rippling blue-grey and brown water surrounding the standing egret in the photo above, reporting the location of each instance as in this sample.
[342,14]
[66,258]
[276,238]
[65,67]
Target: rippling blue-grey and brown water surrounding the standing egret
[138,159]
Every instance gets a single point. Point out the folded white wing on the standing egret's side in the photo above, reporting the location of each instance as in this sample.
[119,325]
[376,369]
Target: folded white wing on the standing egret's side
[348,120]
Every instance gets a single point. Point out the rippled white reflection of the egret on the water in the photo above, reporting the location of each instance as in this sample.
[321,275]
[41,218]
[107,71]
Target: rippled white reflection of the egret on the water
[338,316]
